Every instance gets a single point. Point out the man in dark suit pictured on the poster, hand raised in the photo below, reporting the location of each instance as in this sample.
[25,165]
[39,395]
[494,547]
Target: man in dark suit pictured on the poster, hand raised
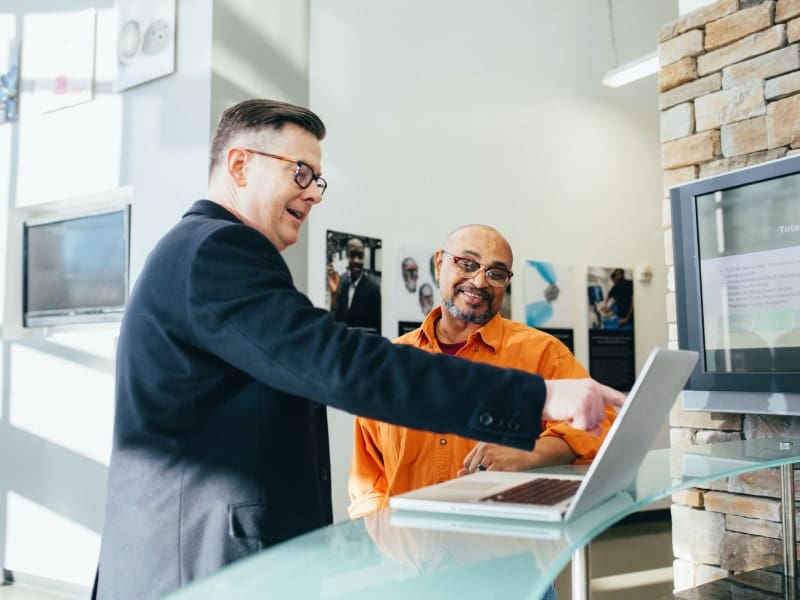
[357,297]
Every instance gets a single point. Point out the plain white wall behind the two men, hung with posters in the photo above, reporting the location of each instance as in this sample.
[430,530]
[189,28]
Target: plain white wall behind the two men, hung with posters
[459,111]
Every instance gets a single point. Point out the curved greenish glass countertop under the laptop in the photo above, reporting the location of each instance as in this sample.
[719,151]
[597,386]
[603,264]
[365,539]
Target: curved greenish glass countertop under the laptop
[394,554]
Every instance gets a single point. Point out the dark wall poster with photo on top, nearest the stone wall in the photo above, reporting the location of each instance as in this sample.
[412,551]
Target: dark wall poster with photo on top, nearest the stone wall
[611,326]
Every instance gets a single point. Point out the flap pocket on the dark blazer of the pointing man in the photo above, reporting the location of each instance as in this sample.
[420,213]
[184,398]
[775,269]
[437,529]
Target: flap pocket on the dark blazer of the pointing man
[265,523]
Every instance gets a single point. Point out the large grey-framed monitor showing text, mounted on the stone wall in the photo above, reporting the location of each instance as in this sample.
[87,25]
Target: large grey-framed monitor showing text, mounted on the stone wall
[736,240]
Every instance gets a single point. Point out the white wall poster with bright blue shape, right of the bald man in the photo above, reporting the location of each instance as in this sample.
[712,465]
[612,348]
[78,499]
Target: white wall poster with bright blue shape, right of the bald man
[548,297]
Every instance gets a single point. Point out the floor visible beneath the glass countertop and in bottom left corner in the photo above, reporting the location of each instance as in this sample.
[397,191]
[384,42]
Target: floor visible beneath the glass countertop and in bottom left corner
[630,561]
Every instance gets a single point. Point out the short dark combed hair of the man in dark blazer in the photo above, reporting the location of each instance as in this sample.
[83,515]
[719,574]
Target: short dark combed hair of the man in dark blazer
[257,115]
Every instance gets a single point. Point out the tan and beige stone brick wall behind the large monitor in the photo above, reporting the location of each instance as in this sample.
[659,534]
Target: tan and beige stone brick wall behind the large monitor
[729,95]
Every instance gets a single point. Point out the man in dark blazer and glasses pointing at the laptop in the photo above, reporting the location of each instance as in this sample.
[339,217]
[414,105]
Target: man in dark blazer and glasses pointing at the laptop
[224,370]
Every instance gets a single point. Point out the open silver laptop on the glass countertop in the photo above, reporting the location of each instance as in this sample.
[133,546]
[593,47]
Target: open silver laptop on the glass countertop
[509,495]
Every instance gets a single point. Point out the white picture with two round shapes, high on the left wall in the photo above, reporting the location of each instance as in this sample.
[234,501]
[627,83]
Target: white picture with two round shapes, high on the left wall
[145,41]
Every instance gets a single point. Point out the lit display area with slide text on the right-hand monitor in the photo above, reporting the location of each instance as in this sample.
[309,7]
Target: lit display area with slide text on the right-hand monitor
[748,241]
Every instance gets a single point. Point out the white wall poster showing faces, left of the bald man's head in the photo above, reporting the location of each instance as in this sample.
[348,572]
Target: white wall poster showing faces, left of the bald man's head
[417,287]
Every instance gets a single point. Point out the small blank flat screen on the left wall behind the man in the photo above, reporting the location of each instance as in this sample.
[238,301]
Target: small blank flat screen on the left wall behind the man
[75,270]
